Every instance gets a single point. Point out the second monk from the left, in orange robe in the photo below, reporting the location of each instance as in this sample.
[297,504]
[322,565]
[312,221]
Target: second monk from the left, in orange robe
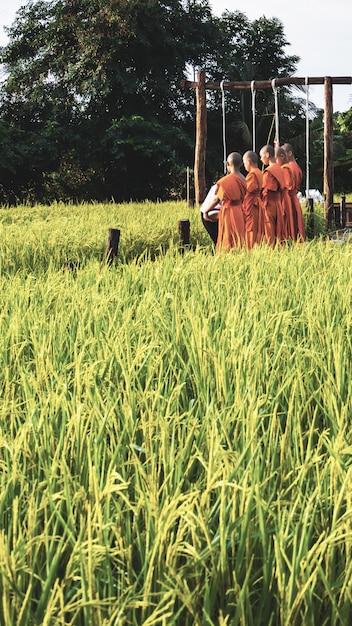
[252,206]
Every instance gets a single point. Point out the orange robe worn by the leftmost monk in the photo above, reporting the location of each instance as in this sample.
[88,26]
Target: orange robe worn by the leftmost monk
[231,190]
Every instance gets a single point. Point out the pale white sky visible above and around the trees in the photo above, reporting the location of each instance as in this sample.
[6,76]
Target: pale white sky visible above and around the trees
[319,33]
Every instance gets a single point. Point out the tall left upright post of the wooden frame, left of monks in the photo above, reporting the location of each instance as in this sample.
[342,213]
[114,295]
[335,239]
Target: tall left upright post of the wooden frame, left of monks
[201,140]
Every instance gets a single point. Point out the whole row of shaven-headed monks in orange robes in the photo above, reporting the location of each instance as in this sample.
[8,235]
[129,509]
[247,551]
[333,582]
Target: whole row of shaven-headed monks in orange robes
[261,206]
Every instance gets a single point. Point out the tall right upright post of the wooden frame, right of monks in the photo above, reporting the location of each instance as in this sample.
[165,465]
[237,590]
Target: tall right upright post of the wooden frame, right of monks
[328,151]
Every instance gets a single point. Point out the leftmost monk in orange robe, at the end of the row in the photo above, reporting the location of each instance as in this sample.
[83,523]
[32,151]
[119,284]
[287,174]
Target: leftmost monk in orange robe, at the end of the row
[230,191]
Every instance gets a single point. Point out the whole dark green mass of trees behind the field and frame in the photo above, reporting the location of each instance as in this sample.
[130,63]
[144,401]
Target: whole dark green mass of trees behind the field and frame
[91,104]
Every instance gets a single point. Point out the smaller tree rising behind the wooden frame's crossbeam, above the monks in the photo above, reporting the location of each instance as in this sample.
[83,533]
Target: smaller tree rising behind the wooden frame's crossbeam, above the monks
[253,50]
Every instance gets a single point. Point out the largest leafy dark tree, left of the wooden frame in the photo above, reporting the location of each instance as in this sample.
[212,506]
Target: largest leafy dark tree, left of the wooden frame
[106,73]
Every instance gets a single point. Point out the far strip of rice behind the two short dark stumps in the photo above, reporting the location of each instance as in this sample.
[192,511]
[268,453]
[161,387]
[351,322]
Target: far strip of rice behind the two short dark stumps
[32,239]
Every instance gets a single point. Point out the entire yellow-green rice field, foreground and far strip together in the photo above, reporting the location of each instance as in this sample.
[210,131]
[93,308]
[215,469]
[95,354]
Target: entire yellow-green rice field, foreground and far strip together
[175,430]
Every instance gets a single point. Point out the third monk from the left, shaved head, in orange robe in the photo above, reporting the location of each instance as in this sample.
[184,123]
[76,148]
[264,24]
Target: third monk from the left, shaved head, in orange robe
[272,191]
